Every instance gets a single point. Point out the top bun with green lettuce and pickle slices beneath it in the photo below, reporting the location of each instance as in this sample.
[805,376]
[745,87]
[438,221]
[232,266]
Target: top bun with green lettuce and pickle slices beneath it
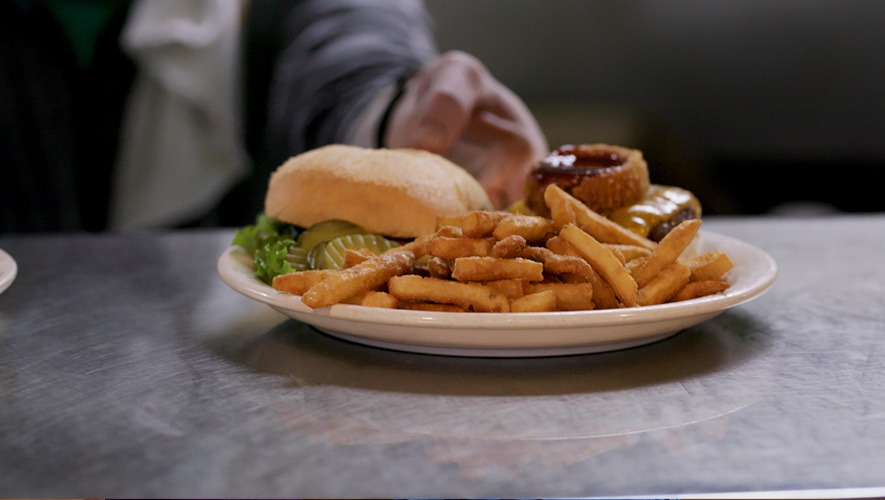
[337,198]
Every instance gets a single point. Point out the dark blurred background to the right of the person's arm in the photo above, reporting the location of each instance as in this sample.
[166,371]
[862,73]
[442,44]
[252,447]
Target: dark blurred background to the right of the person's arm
[757,106]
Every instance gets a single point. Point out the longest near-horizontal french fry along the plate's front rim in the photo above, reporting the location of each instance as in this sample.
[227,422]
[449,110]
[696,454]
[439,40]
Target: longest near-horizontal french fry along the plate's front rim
[471,296]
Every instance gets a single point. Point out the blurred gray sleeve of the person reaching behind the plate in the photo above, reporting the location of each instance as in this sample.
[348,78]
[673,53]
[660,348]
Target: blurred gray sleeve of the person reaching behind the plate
[337,55]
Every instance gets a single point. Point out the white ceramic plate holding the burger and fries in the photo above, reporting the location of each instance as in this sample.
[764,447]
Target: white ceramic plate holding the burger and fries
[516,334]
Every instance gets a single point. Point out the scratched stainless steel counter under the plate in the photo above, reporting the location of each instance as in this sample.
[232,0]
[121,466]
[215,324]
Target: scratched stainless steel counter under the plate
[127,368]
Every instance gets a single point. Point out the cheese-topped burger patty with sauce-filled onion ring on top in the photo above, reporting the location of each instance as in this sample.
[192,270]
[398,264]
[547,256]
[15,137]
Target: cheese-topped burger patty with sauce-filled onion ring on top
[614,182]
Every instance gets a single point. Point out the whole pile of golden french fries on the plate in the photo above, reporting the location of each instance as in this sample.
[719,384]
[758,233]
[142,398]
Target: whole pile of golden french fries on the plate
[503,262]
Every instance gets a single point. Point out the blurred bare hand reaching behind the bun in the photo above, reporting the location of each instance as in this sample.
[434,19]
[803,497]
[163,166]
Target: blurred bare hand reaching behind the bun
[454,107]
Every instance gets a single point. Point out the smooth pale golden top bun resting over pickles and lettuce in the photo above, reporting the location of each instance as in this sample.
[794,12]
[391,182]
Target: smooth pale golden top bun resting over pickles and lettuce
[392,192]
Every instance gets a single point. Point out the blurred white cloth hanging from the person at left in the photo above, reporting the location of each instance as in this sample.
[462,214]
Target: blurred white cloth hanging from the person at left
[182,144]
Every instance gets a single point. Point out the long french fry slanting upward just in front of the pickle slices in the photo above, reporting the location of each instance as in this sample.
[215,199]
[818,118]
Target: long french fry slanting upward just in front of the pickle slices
[367,275]
